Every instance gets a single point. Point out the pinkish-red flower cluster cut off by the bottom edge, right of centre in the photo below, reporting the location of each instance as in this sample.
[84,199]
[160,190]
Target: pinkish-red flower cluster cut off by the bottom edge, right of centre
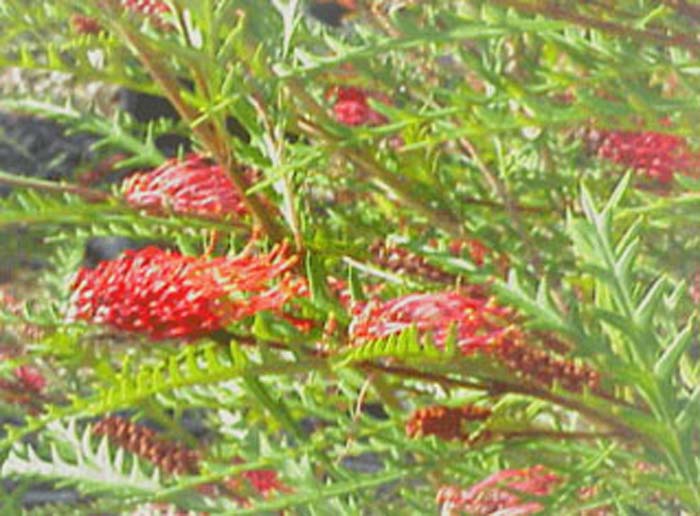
[498,493]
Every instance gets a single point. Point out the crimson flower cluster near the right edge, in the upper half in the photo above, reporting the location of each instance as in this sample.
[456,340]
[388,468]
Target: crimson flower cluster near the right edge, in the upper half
[657,155]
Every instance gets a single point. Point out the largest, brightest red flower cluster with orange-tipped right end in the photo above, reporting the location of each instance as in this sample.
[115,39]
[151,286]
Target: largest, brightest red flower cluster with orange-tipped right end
[166,295]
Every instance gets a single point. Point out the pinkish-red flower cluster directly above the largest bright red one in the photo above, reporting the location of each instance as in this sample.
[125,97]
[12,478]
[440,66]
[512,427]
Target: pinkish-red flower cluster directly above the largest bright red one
[193,186]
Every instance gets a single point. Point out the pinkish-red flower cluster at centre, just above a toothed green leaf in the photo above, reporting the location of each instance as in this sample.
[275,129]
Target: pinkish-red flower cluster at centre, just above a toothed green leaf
[478,322]
